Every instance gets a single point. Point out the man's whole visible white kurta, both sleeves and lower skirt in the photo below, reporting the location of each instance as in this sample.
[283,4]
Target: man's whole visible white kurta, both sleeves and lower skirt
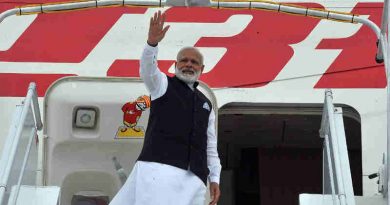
[152,183]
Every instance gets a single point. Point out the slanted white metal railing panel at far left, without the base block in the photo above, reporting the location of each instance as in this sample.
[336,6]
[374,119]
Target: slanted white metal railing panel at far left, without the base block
[18,163]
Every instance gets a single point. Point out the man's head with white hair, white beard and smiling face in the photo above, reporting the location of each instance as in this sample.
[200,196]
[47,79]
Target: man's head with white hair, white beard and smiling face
[189,66]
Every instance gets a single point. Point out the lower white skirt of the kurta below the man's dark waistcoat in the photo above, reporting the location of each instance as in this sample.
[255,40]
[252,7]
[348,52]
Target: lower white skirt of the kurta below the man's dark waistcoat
[152,183]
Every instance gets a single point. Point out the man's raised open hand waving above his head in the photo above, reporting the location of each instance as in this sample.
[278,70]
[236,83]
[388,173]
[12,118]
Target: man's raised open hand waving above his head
[156,28]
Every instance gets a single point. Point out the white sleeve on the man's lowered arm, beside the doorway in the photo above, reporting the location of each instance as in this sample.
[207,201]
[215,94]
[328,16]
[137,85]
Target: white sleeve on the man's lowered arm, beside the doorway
[213,161]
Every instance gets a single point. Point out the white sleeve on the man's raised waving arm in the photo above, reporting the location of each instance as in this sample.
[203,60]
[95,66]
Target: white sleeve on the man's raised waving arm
[156,81]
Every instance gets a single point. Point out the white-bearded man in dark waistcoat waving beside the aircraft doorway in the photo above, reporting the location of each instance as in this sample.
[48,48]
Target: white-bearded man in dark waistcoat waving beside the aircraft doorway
[179,153]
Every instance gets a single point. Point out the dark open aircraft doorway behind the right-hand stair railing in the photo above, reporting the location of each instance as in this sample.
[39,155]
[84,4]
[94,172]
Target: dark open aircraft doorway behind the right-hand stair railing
[272,153]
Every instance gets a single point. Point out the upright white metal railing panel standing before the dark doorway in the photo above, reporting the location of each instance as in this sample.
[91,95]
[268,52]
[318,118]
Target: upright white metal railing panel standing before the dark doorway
[337,180]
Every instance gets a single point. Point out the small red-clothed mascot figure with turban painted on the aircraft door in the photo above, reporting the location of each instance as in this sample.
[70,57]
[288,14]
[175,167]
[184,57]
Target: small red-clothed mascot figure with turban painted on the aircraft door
[132,112]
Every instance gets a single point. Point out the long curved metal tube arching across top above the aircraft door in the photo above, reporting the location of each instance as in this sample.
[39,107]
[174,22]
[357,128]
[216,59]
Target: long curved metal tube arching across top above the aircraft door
[218,4]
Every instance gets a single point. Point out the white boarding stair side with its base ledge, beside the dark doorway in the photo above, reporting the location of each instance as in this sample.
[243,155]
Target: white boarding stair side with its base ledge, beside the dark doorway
[337,180]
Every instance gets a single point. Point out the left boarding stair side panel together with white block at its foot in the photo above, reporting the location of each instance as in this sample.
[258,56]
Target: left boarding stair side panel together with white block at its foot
[20,168]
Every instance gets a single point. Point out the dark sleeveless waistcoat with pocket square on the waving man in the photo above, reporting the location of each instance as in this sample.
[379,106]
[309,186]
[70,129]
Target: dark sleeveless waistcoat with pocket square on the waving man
[177,129]
